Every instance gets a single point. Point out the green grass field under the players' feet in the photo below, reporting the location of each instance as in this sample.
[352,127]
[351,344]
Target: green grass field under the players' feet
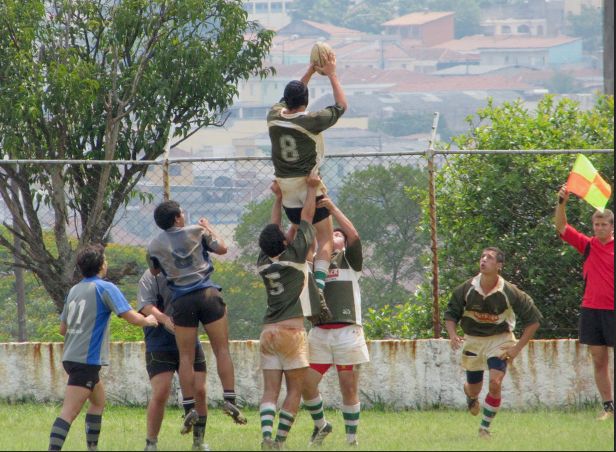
[26,427]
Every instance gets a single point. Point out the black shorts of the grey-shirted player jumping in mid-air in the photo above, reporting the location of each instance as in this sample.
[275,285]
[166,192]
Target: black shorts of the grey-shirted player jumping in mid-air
[205,306]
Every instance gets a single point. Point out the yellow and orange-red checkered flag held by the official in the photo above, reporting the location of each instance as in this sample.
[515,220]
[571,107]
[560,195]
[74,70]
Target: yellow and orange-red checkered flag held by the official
[586,182]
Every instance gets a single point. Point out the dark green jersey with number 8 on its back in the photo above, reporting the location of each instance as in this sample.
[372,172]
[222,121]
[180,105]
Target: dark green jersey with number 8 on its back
[297,143]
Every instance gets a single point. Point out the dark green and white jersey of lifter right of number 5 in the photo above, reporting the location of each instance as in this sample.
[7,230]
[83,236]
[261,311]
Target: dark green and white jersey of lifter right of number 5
[342,285]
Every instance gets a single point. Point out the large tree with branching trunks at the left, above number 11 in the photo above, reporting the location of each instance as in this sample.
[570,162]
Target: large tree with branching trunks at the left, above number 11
[105,80]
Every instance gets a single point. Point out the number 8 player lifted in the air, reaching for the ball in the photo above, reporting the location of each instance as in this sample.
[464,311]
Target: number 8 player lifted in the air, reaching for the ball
[297,150]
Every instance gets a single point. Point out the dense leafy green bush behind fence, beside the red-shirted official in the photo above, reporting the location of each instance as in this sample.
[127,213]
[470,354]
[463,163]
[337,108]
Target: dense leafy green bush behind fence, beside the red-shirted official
[508,200]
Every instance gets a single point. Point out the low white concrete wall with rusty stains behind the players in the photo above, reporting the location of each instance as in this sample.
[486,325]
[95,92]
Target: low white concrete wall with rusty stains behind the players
[403,374]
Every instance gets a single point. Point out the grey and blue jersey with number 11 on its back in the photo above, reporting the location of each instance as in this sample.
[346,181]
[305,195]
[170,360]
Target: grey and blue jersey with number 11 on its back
[87,311]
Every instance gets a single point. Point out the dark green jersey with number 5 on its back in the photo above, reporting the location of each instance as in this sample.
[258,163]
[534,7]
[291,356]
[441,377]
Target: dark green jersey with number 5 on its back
[291,289]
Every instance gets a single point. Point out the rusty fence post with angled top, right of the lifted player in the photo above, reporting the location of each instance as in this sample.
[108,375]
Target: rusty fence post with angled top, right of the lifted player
[436,322]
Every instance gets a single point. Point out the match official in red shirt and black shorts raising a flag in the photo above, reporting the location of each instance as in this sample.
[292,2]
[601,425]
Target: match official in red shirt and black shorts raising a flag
[597,316]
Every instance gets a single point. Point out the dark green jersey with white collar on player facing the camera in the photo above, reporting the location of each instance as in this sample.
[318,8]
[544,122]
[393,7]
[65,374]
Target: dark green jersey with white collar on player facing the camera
[493,313]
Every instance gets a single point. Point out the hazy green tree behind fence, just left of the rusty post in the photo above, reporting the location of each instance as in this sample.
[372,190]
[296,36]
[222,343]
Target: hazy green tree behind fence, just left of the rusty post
[387,219]
